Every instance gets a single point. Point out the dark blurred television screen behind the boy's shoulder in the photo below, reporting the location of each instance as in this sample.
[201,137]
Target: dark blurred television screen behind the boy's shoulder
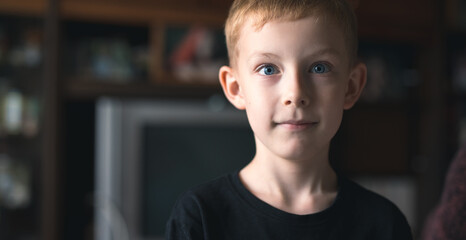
[177,157]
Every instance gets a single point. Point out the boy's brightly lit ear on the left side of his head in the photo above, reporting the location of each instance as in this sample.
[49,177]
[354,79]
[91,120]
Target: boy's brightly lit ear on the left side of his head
[231,87]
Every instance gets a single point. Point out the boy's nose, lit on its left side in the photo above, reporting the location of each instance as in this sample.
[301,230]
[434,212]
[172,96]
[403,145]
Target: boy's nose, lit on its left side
[296,91]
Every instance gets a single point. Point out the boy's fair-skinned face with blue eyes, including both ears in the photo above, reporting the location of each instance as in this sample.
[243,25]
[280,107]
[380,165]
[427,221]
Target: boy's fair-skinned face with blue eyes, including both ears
[293,79]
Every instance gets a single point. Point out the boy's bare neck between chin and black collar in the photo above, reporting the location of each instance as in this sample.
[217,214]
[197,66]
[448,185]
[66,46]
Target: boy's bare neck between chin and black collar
[297,186]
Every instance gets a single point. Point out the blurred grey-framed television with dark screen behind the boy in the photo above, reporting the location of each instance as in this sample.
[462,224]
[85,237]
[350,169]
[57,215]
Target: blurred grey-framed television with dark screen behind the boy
[148,152]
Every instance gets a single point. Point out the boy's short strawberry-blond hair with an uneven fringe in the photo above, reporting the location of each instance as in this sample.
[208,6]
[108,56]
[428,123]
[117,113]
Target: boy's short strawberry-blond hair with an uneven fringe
[263,11]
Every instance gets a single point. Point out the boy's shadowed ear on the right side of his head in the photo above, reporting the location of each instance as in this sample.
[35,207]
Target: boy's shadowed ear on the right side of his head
[356,83]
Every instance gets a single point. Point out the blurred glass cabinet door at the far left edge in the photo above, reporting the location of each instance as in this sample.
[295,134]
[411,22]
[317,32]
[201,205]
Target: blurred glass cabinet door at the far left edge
[21,71]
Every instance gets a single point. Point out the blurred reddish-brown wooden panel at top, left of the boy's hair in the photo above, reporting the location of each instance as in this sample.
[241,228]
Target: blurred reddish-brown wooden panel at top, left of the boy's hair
[145,11]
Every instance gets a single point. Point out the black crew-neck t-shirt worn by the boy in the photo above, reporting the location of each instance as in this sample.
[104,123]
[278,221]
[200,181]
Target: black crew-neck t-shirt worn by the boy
[225,209]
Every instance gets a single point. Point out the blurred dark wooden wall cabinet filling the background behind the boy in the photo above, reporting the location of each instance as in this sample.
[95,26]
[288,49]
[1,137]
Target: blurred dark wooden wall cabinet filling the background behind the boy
[141,48]
